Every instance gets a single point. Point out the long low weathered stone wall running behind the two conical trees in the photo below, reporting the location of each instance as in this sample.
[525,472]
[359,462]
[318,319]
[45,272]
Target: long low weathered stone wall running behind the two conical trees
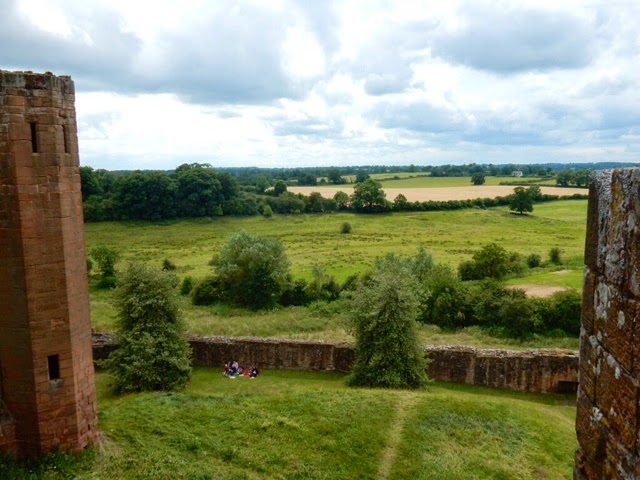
[540,371]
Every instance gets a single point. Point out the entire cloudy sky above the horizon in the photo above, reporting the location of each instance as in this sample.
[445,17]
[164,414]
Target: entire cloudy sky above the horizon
[312,82]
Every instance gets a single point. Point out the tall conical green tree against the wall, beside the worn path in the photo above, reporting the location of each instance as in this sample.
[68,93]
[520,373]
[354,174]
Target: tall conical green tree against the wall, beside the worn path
[383,314]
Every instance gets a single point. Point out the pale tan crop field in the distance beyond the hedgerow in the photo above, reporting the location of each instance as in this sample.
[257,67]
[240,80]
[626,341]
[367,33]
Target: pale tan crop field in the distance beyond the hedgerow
[440,194]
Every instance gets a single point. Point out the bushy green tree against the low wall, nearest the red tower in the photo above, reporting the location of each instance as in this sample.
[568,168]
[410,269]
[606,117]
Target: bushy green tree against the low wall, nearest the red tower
[152,353]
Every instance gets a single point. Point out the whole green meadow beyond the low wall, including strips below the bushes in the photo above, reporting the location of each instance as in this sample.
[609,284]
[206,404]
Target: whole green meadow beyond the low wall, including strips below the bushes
[315,240]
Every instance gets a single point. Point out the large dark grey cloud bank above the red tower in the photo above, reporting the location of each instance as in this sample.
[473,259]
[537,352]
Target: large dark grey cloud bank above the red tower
[233,57]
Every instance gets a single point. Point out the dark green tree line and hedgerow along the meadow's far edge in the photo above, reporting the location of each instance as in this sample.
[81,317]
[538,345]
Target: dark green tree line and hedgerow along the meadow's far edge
[197,190]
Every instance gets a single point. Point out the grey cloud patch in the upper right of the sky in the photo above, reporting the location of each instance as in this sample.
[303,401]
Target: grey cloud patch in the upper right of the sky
[507,41]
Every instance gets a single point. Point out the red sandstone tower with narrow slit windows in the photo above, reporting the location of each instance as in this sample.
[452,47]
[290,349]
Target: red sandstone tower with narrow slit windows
[47,390]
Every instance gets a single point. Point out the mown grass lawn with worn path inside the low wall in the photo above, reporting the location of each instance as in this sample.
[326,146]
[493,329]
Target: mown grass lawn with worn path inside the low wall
[310,425]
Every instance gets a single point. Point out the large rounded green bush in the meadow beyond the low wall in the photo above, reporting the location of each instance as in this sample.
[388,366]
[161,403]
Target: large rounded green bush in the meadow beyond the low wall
[252,270]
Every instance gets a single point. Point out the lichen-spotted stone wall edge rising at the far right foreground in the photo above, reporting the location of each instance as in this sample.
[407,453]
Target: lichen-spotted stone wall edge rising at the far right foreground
[607,420]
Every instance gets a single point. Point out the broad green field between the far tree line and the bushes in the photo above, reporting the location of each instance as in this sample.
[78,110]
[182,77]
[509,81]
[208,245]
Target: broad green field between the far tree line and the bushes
[450,236]
